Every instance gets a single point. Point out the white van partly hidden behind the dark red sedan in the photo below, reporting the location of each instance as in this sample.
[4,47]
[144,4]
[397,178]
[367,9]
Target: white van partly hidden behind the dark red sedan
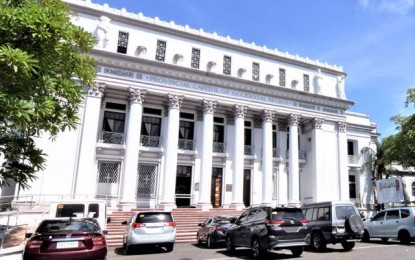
[81,209]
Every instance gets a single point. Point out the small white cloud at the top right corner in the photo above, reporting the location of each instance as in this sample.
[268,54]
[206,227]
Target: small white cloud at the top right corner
[392,6]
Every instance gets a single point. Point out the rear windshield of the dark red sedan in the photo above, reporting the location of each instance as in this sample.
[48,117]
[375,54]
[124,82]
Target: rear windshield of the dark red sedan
[56,226]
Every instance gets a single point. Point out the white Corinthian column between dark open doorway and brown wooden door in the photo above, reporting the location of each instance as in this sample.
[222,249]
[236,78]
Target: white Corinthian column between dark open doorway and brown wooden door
[206,155]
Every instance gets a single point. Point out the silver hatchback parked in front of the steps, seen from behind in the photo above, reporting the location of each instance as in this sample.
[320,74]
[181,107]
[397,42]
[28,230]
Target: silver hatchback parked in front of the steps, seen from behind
[150,228]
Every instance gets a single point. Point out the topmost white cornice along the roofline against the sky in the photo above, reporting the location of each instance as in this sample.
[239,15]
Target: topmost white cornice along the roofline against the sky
[86,6]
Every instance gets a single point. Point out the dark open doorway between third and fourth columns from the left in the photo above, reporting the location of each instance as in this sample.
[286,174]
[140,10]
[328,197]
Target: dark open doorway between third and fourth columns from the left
[183,186]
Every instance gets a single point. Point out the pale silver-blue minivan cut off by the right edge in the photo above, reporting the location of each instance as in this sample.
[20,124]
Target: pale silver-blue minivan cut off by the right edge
[396,223]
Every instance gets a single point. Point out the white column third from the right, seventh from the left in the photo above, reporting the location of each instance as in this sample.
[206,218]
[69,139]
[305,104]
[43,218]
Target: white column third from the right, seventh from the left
[294,167]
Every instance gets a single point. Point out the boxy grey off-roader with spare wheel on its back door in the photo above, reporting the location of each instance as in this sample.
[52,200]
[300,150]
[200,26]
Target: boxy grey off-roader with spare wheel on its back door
[334,222]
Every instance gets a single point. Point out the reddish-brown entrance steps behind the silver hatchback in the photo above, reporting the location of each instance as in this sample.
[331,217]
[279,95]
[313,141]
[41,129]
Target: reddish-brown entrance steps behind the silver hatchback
[187,220]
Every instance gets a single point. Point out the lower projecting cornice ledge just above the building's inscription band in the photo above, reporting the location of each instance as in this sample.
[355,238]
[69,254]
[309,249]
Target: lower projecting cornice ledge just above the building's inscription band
[183,73]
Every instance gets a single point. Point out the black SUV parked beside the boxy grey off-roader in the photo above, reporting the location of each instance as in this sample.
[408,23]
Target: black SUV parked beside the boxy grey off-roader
[266,228]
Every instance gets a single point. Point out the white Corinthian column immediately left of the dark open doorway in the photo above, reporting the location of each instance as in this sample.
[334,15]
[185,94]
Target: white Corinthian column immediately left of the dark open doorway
[171,141]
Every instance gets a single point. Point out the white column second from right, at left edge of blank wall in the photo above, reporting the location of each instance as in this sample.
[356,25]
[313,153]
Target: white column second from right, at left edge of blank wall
[318,160]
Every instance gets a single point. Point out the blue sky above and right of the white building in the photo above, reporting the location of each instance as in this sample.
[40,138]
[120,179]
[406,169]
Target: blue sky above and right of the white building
[374,40]
